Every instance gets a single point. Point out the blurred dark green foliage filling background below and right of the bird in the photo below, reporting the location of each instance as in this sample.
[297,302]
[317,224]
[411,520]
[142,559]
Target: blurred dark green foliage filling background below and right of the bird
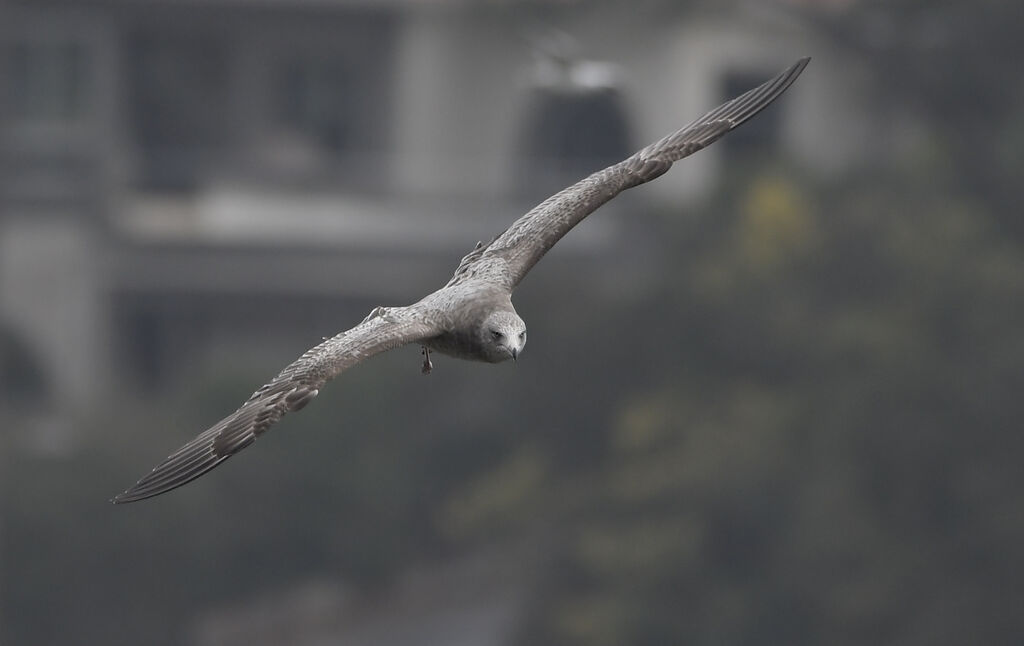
[817,443]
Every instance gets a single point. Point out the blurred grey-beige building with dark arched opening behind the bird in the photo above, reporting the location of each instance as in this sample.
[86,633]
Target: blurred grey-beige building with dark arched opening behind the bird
[182,180]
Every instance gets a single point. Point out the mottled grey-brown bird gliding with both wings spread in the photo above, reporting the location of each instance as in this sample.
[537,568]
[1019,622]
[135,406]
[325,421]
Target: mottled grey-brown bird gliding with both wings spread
[473,317]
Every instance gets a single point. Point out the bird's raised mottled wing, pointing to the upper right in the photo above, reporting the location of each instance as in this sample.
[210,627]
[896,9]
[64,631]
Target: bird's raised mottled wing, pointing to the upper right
[511,255]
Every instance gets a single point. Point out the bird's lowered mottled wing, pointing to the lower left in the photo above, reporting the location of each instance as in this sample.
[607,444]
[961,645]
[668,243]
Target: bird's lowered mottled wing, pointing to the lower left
[291,391]
